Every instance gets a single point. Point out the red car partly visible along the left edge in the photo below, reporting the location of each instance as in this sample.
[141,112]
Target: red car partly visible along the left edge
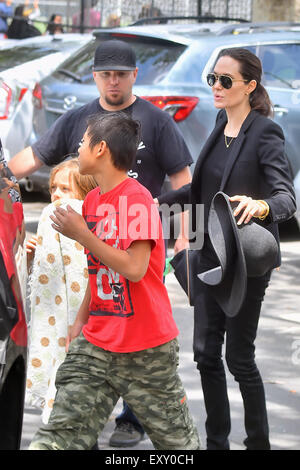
[13,329]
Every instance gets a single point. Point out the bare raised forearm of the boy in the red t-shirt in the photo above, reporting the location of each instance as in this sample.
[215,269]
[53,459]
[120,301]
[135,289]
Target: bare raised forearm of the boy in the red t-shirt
[131,263]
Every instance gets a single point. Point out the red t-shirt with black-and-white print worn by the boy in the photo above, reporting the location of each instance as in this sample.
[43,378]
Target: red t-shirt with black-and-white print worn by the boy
[127,316]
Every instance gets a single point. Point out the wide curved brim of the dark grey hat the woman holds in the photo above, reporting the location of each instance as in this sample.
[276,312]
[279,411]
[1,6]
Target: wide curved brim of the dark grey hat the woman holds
[228,282]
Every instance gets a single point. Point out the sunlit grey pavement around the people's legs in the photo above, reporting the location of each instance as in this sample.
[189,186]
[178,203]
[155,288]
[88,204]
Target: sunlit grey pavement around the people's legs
[278,358]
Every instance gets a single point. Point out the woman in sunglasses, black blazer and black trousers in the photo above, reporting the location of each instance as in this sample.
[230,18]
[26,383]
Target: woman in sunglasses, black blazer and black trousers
[243,157]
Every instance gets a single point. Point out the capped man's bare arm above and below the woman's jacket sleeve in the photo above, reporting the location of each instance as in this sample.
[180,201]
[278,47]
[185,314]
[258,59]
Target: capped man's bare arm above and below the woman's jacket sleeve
[178,180]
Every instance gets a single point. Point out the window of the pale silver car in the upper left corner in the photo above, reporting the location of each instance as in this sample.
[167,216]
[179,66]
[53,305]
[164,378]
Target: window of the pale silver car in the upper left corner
[12,57]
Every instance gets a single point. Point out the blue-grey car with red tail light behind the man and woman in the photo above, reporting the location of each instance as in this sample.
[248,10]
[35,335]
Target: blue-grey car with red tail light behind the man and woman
[173,62]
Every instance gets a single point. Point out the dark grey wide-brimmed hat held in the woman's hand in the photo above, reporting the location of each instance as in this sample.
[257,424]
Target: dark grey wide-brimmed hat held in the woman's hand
[246,250]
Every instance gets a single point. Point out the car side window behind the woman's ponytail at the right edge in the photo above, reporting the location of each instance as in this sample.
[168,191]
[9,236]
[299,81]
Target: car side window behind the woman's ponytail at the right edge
[281,65]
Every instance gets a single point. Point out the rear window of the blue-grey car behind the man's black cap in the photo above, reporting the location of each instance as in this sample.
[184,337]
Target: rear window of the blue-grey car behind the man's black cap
[154,60]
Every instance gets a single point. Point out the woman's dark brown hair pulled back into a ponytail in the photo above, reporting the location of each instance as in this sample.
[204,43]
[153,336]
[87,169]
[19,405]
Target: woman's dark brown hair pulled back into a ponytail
[251,69]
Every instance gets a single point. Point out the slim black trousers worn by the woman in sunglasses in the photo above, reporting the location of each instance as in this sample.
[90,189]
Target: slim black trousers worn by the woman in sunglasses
[210,327]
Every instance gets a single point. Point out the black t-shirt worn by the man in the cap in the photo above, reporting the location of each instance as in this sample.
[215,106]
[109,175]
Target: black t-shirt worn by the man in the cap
[162,150]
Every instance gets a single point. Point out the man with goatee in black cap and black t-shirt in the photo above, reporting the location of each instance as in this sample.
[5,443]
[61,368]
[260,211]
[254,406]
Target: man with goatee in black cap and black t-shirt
[162,151]
